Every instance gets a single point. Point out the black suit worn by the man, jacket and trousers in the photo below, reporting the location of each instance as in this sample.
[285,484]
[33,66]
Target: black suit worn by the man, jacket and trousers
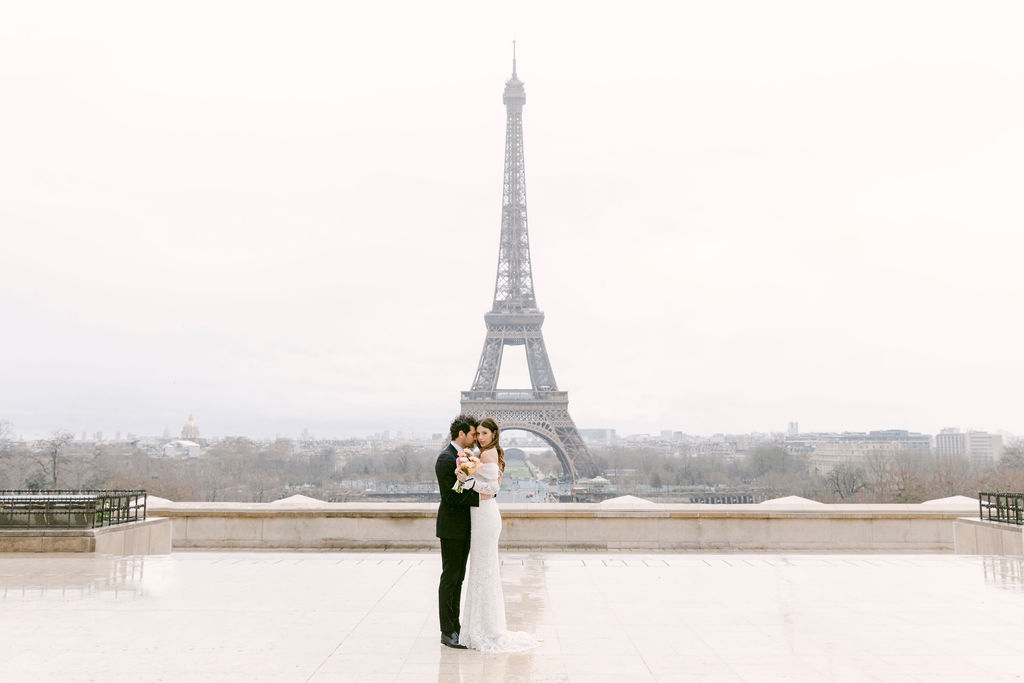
[453,530]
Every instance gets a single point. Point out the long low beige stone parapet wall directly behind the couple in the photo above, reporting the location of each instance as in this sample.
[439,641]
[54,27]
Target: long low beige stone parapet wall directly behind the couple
[574,527]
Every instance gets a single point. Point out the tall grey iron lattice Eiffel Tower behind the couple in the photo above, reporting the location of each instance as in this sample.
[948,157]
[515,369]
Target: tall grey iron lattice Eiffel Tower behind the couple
[516,321]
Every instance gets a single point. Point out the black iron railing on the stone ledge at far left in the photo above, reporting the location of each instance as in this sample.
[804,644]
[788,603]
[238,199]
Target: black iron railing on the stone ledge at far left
[70,509]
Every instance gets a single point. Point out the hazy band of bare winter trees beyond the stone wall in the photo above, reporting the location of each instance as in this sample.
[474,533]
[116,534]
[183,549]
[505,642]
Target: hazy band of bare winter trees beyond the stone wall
[244,471]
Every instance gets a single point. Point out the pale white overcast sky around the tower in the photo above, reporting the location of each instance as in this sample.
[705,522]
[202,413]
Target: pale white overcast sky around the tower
[286,216]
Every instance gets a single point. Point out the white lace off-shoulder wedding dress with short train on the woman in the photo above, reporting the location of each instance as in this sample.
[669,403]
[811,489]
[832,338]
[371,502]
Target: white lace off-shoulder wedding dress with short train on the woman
[484,607]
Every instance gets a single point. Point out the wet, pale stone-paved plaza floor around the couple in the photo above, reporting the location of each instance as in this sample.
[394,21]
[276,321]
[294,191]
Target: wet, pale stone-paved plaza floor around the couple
[372,617]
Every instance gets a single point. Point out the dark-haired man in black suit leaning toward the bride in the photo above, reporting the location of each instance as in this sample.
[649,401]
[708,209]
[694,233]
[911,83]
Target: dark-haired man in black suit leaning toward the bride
[453,527]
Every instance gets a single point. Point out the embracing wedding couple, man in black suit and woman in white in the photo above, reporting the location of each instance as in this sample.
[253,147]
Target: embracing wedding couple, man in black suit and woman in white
[468,526]
